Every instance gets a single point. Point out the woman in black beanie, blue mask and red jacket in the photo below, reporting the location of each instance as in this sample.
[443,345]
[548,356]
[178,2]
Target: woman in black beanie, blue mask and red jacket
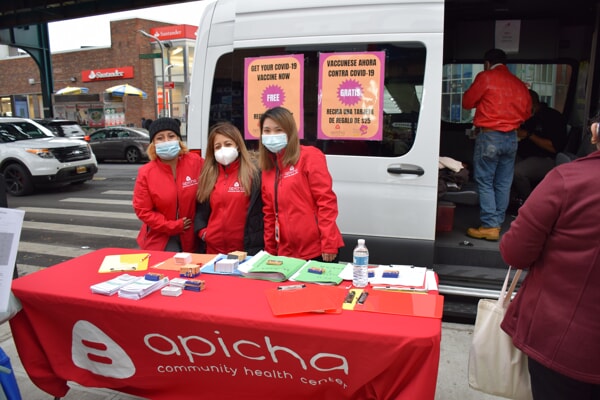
[164,196]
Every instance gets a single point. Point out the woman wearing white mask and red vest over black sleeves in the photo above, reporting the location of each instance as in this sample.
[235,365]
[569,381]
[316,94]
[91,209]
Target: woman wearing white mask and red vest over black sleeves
[229,215]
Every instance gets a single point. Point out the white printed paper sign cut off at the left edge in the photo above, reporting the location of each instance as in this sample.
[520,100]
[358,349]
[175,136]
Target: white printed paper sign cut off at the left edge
[11,222]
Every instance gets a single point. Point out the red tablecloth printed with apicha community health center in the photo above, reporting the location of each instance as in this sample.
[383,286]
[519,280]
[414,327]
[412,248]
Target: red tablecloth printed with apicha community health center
[221,343]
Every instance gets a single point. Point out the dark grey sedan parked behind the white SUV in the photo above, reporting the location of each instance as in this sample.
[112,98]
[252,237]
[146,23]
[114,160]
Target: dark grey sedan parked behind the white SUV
[120,143]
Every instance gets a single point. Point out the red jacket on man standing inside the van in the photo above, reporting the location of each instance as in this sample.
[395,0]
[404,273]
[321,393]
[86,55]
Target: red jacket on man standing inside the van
[502,100]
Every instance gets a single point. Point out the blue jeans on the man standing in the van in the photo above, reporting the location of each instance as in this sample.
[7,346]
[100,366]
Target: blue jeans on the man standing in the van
[493,169]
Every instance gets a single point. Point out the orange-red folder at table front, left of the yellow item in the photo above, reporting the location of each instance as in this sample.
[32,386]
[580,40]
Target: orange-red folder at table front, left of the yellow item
[309,299]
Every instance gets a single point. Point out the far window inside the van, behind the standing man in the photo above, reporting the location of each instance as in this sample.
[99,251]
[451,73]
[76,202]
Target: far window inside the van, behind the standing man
[551,81]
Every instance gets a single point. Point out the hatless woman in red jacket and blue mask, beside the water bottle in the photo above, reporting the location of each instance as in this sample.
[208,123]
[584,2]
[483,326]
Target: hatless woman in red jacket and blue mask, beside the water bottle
[300,206]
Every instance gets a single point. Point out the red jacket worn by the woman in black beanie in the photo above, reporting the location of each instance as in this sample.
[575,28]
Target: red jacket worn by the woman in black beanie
[161,202]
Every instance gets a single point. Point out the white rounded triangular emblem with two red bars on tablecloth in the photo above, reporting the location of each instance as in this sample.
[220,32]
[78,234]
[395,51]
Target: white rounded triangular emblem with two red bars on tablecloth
[95,351]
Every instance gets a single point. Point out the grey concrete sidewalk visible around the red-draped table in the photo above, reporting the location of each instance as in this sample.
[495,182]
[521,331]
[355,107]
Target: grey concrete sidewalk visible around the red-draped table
[451,385]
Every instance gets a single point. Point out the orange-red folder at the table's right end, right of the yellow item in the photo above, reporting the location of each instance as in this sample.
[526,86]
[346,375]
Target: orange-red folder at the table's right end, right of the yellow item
[402,303]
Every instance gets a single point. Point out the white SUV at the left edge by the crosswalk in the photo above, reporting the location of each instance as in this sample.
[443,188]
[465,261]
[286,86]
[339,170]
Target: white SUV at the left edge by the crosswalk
[31,156]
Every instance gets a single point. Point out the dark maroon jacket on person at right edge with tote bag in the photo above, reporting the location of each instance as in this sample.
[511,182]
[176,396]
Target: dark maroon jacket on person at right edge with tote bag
[555,317]
